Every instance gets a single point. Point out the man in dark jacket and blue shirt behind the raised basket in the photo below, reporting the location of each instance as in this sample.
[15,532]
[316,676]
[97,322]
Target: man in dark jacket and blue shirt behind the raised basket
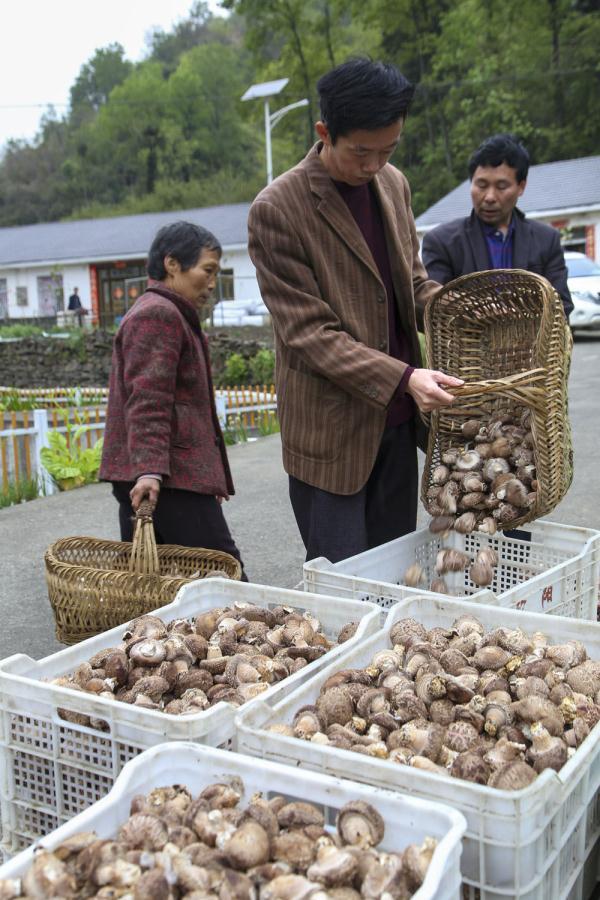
[497,235]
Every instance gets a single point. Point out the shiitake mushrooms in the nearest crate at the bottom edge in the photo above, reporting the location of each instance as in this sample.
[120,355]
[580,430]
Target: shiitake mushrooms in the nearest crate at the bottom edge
[175,846]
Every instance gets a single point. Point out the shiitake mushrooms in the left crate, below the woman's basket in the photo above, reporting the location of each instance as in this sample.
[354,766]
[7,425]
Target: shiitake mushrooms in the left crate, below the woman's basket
[184,666]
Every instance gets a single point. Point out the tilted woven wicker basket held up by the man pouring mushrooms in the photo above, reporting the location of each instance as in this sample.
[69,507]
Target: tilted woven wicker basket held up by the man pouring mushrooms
[504,332]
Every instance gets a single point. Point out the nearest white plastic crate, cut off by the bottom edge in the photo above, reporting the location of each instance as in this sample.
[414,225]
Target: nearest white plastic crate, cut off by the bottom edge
[407,820]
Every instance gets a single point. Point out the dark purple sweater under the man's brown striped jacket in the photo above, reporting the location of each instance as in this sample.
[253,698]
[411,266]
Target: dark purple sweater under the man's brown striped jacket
[363,205]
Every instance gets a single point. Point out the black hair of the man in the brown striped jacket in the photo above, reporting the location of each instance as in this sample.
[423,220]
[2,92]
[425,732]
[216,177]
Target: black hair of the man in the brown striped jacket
[362,94]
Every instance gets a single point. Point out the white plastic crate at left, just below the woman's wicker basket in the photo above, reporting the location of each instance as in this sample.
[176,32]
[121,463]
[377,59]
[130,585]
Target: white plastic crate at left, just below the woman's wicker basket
[52,769]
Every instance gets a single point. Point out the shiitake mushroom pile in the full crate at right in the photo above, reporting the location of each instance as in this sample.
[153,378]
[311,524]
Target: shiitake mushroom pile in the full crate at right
[493,707]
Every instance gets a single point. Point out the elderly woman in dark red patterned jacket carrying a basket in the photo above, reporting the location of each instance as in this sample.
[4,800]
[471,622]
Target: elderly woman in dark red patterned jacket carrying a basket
[163,441]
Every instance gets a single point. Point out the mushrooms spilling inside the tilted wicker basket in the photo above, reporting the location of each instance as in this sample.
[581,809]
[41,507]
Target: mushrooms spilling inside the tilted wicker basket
[489,481]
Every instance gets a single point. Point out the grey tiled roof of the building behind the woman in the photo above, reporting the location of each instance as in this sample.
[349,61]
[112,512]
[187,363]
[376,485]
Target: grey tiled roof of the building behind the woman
[91,239]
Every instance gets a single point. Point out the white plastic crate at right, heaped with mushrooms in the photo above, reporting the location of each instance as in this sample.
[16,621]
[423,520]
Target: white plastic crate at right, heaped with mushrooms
[531,844]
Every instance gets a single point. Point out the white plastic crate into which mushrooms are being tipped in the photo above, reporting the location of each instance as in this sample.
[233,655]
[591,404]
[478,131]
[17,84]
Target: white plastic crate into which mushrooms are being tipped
[552,568]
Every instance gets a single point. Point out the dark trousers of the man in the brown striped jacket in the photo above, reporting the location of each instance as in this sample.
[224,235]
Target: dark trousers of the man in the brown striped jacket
[338,526]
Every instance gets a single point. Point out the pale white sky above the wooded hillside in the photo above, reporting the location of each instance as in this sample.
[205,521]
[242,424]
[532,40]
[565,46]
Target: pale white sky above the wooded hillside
[45,44]
